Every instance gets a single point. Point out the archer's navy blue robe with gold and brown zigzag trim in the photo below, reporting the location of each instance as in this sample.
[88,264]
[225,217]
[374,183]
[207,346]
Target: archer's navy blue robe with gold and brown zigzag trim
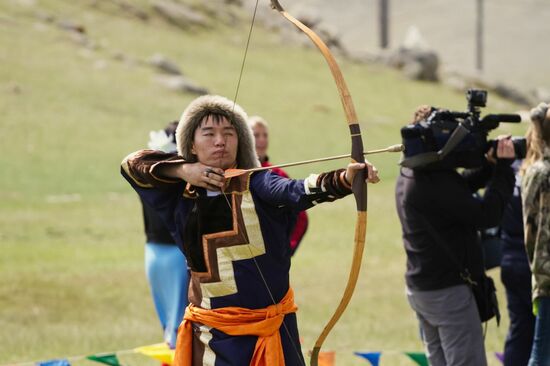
[236,244]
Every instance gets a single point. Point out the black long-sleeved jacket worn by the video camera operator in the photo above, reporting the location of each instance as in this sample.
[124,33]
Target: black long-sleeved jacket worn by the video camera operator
[443,198]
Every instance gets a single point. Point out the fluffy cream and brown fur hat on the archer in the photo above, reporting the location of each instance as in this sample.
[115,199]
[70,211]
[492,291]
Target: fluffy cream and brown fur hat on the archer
[215,104]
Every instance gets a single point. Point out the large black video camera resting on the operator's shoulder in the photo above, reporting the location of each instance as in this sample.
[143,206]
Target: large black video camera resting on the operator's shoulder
[448,139]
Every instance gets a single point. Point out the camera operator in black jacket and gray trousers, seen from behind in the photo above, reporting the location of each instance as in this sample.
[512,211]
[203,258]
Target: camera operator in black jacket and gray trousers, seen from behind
[440,218]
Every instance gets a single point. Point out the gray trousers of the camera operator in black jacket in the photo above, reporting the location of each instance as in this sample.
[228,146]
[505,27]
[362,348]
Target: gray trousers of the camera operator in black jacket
[450,326]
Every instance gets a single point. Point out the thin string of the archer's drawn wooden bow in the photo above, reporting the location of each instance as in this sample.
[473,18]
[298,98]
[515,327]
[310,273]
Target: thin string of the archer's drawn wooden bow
[241,229]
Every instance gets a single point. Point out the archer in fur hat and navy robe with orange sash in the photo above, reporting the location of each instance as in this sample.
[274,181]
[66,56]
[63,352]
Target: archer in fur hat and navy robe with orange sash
[234,233]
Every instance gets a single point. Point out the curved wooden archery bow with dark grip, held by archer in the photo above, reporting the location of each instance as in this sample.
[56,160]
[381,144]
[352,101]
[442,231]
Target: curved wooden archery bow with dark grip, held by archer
[359,186]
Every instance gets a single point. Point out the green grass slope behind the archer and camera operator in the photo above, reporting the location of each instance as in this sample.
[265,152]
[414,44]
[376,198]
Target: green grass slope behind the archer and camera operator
[71,264]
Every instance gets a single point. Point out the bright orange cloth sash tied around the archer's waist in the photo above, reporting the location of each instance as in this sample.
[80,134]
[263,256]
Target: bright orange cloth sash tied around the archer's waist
[264,323]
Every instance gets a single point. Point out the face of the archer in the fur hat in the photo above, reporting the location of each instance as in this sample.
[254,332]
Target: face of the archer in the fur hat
[215,143]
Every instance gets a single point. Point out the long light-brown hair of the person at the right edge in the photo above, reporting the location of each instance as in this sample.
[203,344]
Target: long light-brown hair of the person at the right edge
[538,136]
